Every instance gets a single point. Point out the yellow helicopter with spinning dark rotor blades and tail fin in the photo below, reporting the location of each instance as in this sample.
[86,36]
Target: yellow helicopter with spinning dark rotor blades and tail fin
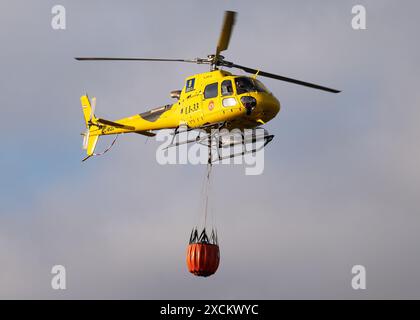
[212,100]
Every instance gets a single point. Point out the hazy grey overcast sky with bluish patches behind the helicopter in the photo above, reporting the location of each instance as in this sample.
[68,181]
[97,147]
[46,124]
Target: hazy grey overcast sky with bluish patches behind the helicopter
[341,179]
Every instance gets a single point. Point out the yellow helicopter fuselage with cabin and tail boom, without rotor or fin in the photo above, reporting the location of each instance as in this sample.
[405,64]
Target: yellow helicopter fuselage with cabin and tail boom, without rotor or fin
[207,98]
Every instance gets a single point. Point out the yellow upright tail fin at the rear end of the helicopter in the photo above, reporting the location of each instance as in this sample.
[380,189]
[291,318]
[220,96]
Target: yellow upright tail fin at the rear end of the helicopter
[89,140]
